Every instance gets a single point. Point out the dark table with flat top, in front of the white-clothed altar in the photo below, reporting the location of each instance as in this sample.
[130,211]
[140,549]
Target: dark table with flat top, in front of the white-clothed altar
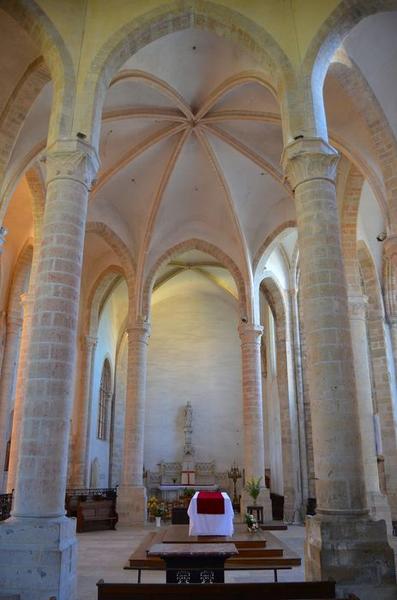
[194,563]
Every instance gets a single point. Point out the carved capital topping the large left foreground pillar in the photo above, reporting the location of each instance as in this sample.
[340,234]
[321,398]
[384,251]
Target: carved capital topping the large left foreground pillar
[72,159]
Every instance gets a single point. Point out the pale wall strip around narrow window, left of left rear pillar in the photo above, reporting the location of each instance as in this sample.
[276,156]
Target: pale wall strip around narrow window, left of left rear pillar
[111,319]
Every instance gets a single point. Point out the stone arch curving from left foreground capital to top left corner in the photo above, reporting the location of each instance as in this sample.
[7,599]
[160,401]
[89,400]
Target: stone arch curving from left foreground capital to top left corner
[40,28]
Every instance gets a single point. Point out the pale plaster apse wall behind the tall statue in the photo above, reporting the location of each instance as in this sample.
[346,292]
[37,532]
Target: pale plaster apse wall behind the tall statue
[194,354]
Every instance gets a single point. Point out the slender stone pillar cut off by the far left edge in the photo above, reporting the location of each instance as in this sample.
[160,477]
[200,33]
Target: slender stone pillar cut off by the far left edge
[7,382]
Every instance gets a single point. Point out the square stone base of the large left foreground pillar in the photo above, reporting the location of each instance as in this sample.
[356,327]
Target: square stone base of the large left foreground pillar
[38,558]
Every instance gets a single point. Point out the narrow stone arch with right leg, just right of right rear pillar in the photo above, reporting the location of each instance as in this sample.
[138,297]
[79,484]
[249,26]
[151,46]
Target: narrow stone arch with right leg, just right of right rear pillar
[289,446]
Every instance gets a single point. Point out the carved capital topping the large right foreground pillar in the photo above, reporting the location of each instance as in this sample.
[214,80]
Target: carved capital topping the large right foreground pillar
[307,159]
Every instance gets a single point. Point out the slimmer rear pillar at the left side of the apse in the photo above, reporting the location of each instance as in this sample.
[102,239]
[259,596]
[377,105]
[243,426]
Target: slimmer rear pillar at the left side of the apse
[131,501]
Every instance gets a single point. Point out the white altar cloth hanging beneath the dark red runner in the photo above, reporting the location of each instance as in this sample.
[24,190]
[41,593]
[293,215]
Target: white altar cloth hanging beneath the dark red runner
[201,524]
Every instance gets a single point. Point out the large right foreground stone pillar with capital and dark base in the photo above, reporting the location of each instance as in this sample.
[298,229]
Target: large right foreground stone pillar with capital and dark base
[342,543]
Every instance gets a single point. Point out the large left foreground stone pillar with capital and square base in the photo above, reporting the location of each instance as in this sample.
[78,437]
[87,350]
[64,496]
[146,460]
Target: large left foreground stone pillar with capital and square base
[38,543]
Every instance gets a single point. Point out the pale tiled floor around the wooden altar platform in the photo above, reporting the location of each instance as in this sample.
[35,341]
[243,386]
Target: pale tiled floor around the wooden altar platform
[103,554]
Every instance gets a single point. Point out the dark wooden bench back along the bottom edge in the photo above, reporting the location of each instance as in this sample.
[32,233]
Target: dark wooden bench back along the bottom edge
[310,590]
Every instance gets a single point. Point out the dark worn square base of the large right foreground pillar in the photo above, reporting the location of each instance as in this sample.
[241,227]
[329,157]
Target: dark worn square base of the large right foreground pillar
[348,549]
